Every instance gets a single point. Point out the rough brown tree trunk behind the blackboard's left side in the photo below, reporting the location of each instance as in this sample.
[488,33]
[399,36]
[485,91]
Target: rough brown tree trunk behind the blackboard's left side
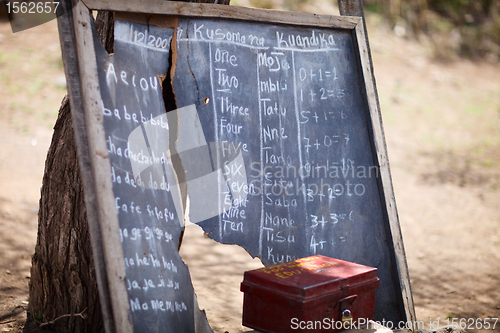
[63,279]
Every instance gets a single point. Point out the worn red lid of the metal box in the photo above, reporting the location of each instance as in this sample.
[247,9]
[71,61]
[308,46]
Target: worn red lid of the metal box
[311,276]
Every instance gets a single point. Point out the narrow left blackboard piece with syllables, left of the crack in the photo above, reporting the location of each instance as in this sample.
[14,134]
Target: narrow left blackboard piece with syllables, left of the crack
[136,133]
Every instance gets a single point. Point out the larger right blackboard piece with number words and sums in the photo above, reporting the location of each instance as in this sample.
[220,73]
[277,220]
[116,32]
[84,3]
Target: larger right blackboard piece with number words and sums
[291,101]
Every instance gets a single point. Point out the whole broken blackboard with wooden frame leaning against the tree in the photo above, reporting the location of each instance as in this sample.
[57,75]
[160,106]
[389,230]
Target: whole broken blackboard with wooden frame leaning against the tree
[276,145]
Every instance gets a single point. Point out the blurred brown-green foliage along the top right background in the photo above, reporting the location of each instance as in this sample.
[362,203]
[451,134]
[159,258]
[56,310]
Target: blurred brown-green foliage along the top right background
[455,28]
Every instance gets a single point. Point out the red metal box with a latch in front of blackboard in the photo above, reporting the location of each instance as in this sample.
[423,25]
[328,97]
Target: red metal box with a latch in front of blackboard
[316,294]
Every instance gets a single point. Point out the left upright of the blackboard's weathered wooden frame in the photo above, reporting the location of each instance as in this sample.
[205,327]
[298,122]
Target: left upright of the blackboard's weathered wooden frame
[83,90]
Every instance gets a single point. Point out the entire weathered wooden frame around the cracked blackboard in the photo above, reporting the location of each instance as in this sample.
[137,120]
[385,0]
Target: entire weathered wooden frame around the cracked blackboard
[80,64]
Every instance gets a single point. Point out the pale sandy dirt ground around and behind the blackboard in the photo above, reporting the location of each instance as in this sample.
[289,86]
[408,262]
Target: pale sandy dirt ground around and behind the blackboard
[442,126]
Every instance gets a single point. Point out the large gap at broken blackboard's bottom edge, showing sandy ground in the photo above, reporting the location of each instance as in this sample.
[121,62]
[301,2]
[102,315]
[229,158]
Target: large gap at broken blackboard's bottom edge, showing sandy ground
[217,271]
